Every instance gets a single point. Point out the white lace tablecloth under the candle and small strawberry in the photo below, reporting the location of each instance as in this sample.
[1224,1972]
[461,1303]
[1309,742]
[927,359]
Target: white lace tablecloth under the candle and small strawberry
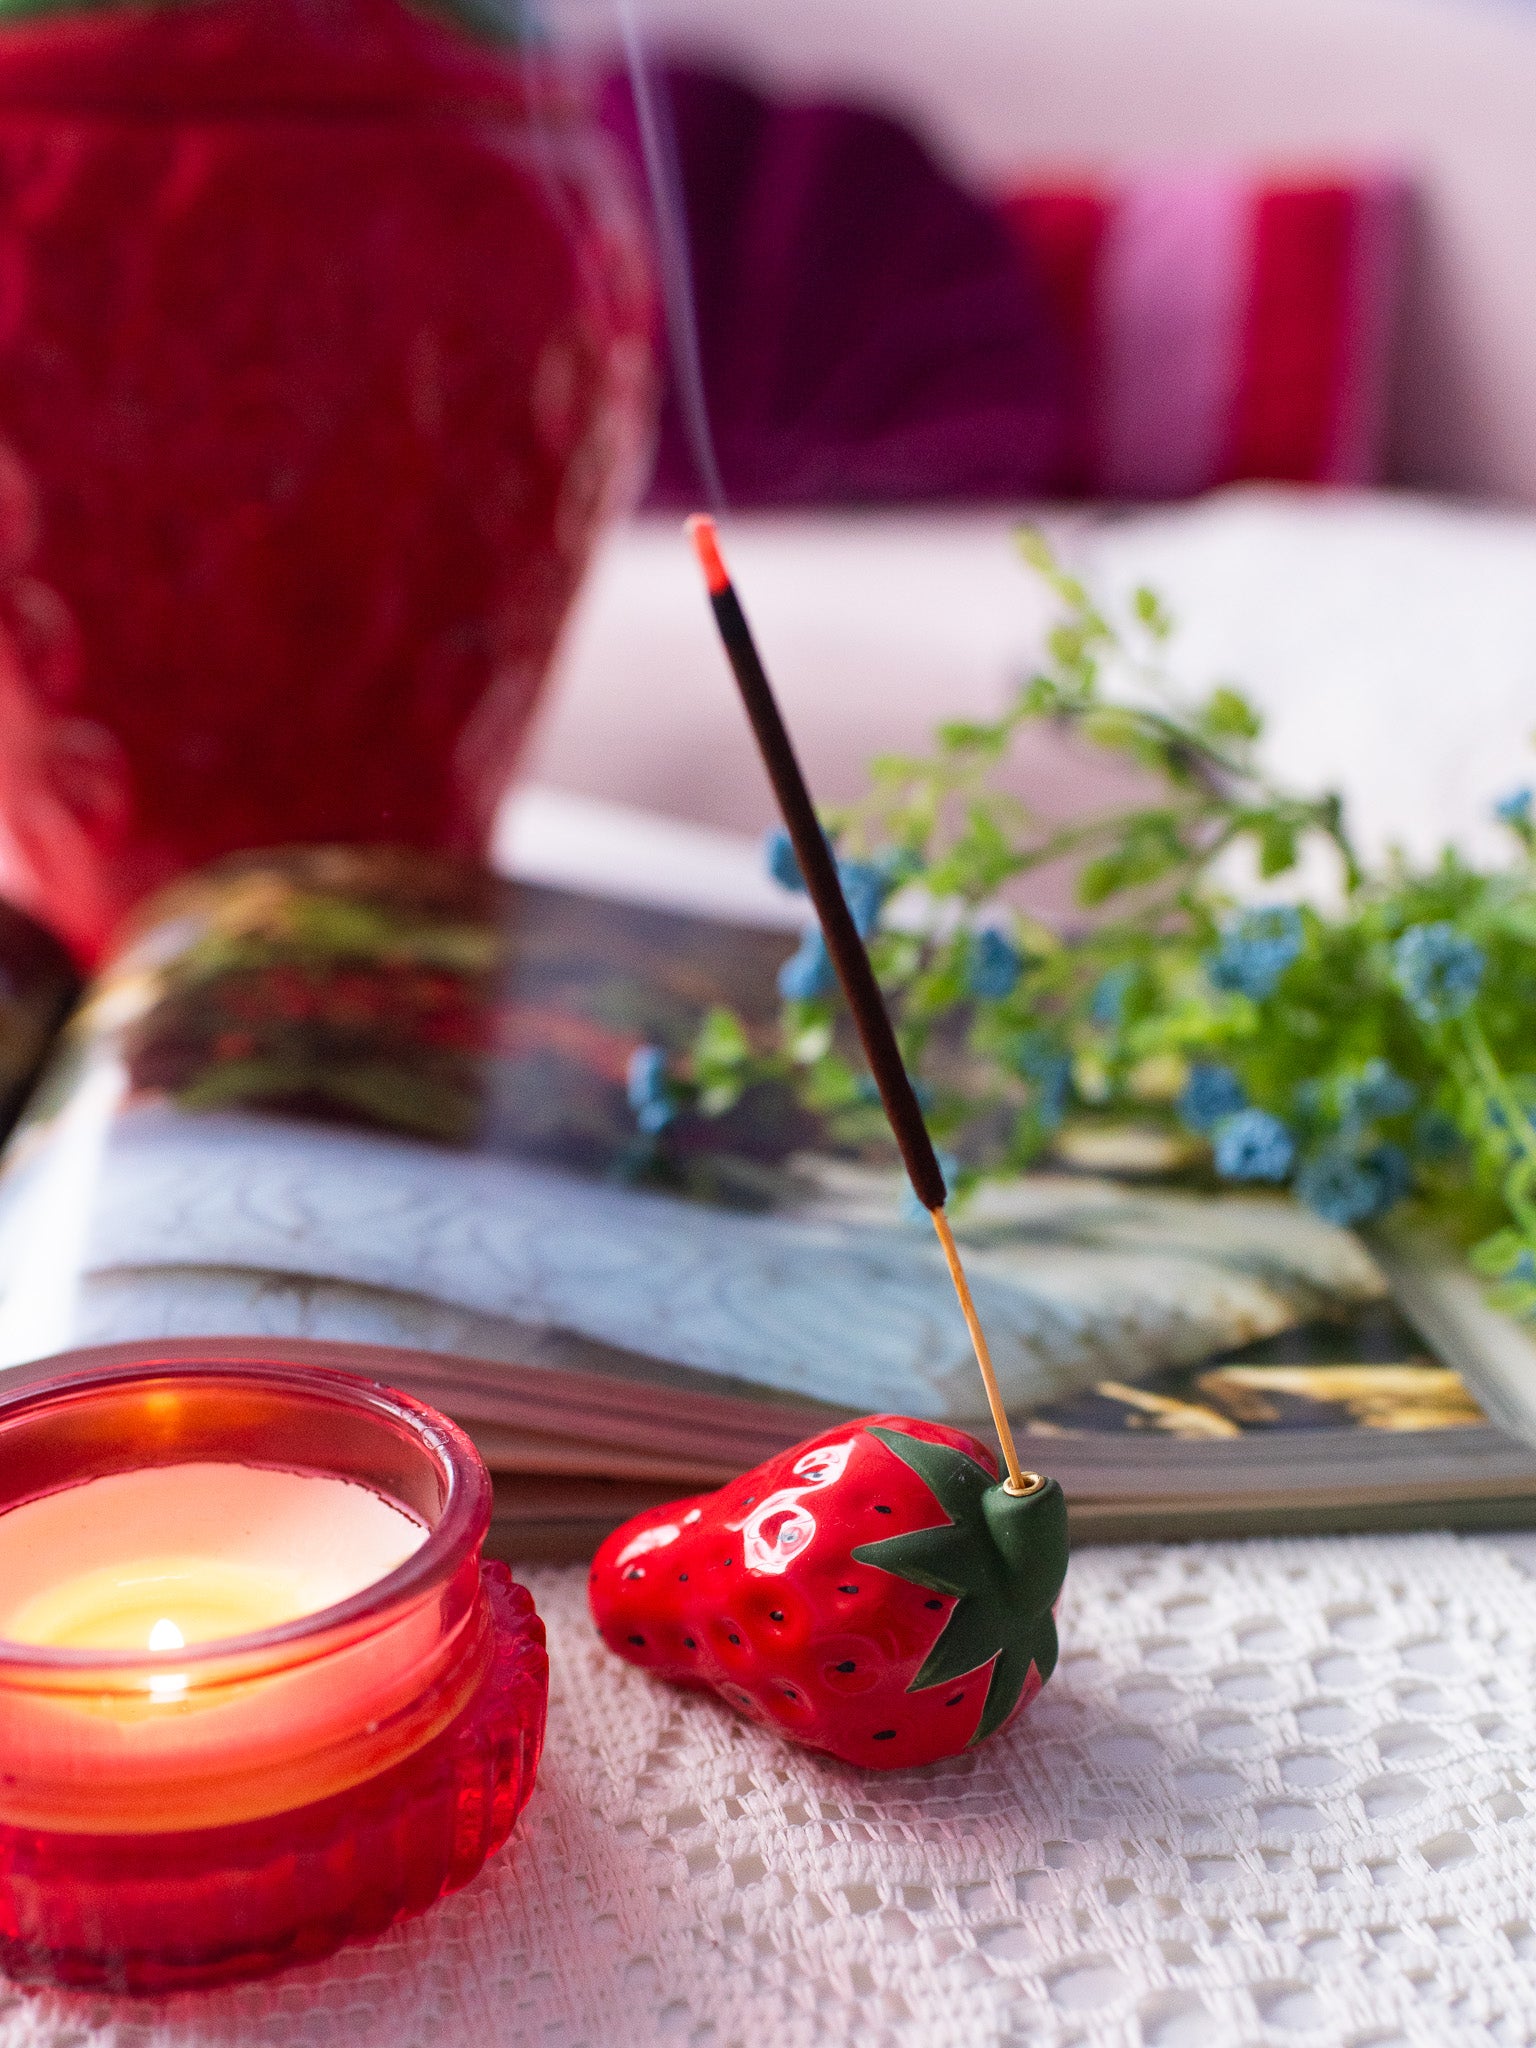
[1277,1793]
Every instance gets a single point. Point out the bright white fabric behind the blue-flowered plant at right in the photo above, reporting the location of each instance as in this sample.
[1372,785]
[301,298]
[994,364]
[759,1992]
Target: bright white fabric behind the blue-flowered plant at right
[1390,640]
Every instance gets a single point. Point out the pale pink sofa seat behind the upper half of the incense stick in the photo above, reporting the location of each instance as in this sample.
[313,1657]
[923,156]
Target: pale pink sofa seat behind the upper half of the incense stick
[873,626]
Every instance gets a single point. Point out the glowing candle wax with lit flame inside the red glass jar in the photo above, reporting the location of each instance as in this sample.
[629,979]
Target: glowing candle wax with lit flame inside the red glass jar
[177,1560]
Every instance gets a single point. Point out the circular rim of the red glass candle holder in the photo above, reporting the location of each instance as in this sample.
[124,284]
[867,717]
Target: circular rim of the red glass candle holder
[458,1533]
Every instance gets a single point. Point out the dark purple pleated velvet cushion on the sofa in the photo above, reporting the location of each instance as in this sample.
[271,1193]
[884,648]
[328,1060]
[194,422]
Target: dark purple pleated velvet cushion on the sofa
[869,331]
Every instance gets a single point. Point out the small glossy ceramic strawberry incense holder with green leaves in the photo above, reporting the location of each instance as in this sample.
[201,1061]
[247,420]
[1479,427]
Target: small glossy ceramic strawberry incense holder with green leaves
[876,1592]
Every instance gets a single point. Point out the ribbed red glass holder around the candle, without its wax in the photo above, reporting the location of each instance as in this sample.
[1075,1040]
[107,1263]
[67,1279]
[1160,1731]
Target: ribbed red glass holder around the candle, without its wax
[353,1822]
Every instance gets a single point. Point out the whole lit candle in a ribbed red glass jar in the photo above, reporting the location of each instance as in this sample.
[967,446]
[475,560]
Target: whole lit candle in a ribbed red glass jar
[181,1805]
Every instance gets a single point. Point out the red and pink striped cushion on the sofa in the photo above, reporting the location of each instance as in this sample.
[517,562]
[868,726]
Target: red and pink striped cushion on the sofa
[1226,327]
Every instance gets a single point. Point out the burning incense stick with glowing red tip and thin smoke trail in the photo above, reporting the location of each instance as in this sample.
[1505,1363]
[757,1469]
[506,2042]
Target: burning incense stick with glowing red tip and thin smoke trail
[849,957]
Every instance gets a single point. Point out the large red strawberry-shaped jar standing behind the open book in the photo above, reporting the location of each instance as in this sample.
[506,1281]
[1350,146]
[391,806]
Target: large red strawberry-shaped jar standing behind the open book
[325,351]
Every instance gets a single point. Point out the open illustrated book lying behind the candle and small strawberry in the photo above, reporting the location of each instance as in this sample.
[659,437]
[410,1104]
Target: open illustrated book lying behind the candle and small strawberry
[378,1099]
